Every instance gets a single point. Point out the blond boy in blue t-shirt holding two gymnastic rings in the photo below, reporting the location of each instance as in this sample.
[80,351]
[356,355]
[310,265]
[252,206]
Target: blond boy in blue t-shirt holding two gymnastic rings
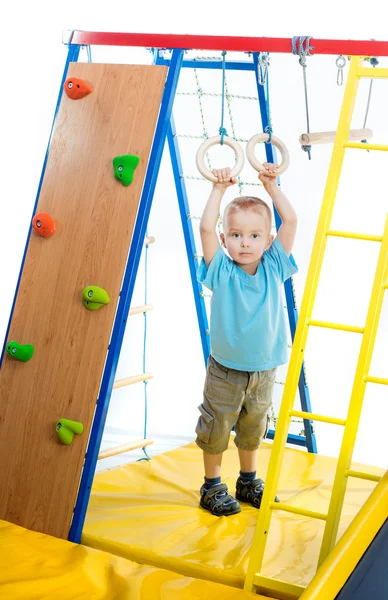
[248,333]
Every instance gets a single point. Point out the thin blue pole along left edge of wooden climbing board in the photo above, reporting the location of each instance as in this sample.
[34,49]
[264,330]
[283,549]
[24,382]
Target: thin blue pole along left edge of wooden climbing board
[72,56]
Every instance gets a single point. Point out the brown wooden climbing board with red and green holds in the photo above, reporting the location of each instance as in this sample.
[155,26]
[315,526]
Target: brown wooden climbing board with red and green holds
[94,216]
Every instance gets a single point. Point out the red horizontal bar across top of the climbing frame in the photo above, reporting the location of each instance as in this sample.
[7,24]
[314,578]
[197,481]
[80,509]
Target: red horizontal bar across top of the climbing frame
[239,44]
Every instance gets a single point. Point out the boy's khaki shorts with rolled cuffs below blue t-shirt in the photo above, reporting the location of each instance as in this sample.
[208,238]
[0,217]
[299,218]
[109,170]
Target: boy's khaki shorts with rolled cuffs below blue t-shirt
[239,399]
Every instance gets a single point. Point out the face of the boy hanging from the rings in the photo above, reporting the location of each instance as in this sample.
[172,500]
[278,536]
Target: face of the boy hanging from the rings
[247,235]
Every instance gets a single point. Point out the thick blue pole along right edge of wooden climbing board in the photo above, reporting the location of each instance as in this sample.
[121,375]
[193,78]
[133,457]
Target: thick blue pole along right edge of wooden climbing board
[126,296]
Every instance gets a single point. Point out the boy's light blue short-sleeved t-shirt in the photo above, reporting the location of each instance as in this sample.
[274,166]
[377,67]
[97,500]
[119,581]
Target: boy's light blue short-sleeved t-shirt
[247,323]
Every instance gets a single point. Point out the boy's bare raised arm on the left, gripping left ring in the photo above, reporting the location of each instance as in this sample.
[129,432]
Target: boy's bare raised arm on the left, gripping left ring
[208,224]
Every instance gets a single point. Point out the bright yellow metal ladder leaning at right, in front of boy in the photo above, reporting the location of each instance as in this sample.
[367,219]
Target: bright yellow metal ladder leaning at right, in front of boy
[254,580]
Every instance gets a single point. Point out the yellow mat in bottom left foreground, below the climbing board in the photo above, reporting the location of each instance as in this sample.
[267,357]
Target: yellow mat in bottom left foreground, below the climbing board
[35,566]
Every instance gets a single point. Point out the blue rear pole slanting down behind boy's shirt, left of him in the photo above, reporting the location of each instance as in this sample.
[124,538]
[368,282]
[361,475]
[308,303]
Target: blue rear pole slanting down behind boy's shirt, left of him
[189,238]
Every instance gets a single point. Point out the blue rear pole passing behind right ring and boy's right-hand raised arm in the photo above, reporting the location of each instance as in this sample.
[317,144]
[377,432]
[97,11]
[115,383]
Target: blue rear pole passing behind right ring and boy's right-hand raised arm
[292,309]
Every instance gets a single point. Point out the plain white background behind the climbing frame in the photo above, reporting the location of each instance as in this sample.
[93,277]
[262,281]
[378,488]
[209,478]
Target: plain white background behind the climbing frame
[32,66]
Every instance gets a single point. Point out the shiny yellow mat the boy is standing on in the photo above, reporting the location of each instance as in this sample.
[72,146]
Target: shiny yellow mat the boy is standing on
[148,512]
